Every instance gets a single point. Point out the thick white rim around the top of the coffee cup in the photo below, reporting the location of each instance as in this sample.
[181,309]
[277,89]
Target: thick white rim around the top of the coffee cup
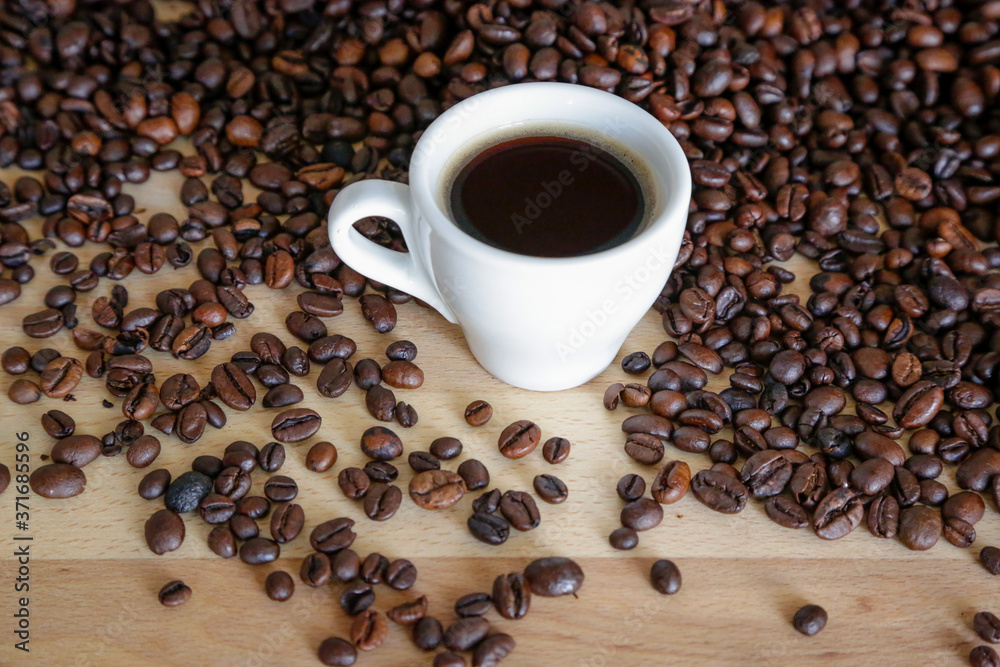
[675,198]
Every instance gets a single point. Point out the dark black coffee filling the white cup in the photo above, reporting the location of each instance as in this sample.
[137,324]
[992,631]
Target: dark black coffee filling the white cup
[548,196]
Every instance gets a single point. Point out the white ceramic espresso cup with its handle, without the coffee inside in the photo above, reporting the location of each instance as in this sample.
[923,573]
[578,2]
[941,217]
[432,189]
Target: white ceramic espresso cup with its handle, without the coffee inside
[534,322]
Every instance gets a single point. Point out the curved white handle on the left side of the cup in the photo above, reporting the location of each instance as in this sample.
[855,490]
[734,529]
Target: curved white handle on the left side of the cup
[404,271]
